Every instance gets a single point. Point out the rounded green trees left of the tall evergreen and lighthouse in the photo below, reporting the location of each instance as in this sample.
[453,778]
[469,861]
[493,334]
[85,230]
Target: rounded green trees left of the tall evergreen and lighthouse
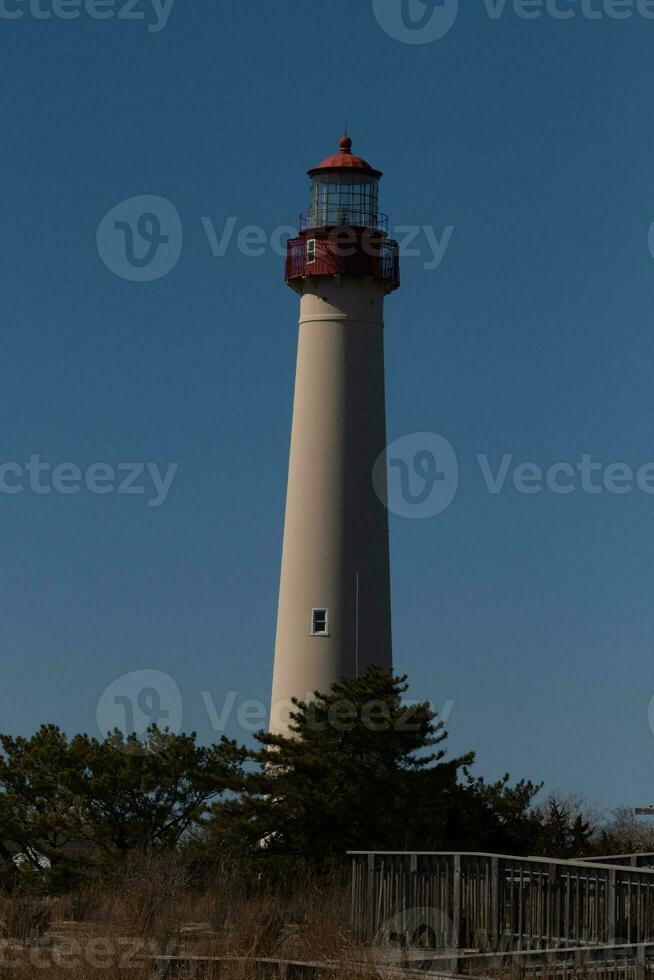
[91,797]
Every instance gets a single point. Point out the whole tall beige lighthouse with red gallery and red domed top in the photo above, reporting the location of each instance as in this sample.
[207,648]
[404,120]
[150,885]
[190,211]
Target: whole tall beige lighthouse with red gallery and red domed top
[334,614]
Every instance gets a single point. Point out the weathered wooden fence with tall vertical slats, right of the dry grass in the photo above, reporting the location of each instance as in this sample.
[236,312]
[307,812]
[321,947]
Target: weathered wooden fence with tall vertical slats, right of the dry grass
[492,902]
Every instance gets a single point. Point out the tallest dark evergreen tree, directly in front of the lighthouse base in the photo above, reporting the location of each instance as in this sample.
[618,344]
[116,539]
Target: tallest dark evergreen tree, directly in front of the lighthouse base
[360,770]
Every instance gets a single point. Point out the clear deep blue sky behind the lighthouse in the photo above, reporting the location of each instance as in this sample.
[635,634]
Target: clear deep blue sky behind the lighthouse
[533,614]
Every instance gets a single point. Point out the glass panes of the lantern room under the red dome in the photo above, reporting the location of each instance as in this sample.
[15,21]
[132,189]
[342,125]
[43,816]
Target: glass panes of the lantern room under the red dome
[344,199]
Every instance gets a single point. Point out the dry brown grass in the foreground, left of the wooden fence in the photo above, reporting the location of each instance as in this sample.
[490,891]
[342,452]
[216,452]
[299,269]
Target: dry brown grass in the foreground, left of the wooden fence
[157,905]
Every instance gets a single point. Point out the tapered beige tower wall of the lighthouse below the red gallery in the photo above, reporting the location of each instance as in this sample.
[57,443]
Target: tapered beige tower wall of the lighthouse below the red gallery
[335,554]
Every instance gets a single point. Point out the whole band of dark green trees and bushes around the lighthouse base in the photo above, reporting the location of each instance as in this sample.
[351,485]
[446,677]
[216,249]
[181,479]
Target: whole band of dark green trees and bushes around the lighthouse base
[362,769]
